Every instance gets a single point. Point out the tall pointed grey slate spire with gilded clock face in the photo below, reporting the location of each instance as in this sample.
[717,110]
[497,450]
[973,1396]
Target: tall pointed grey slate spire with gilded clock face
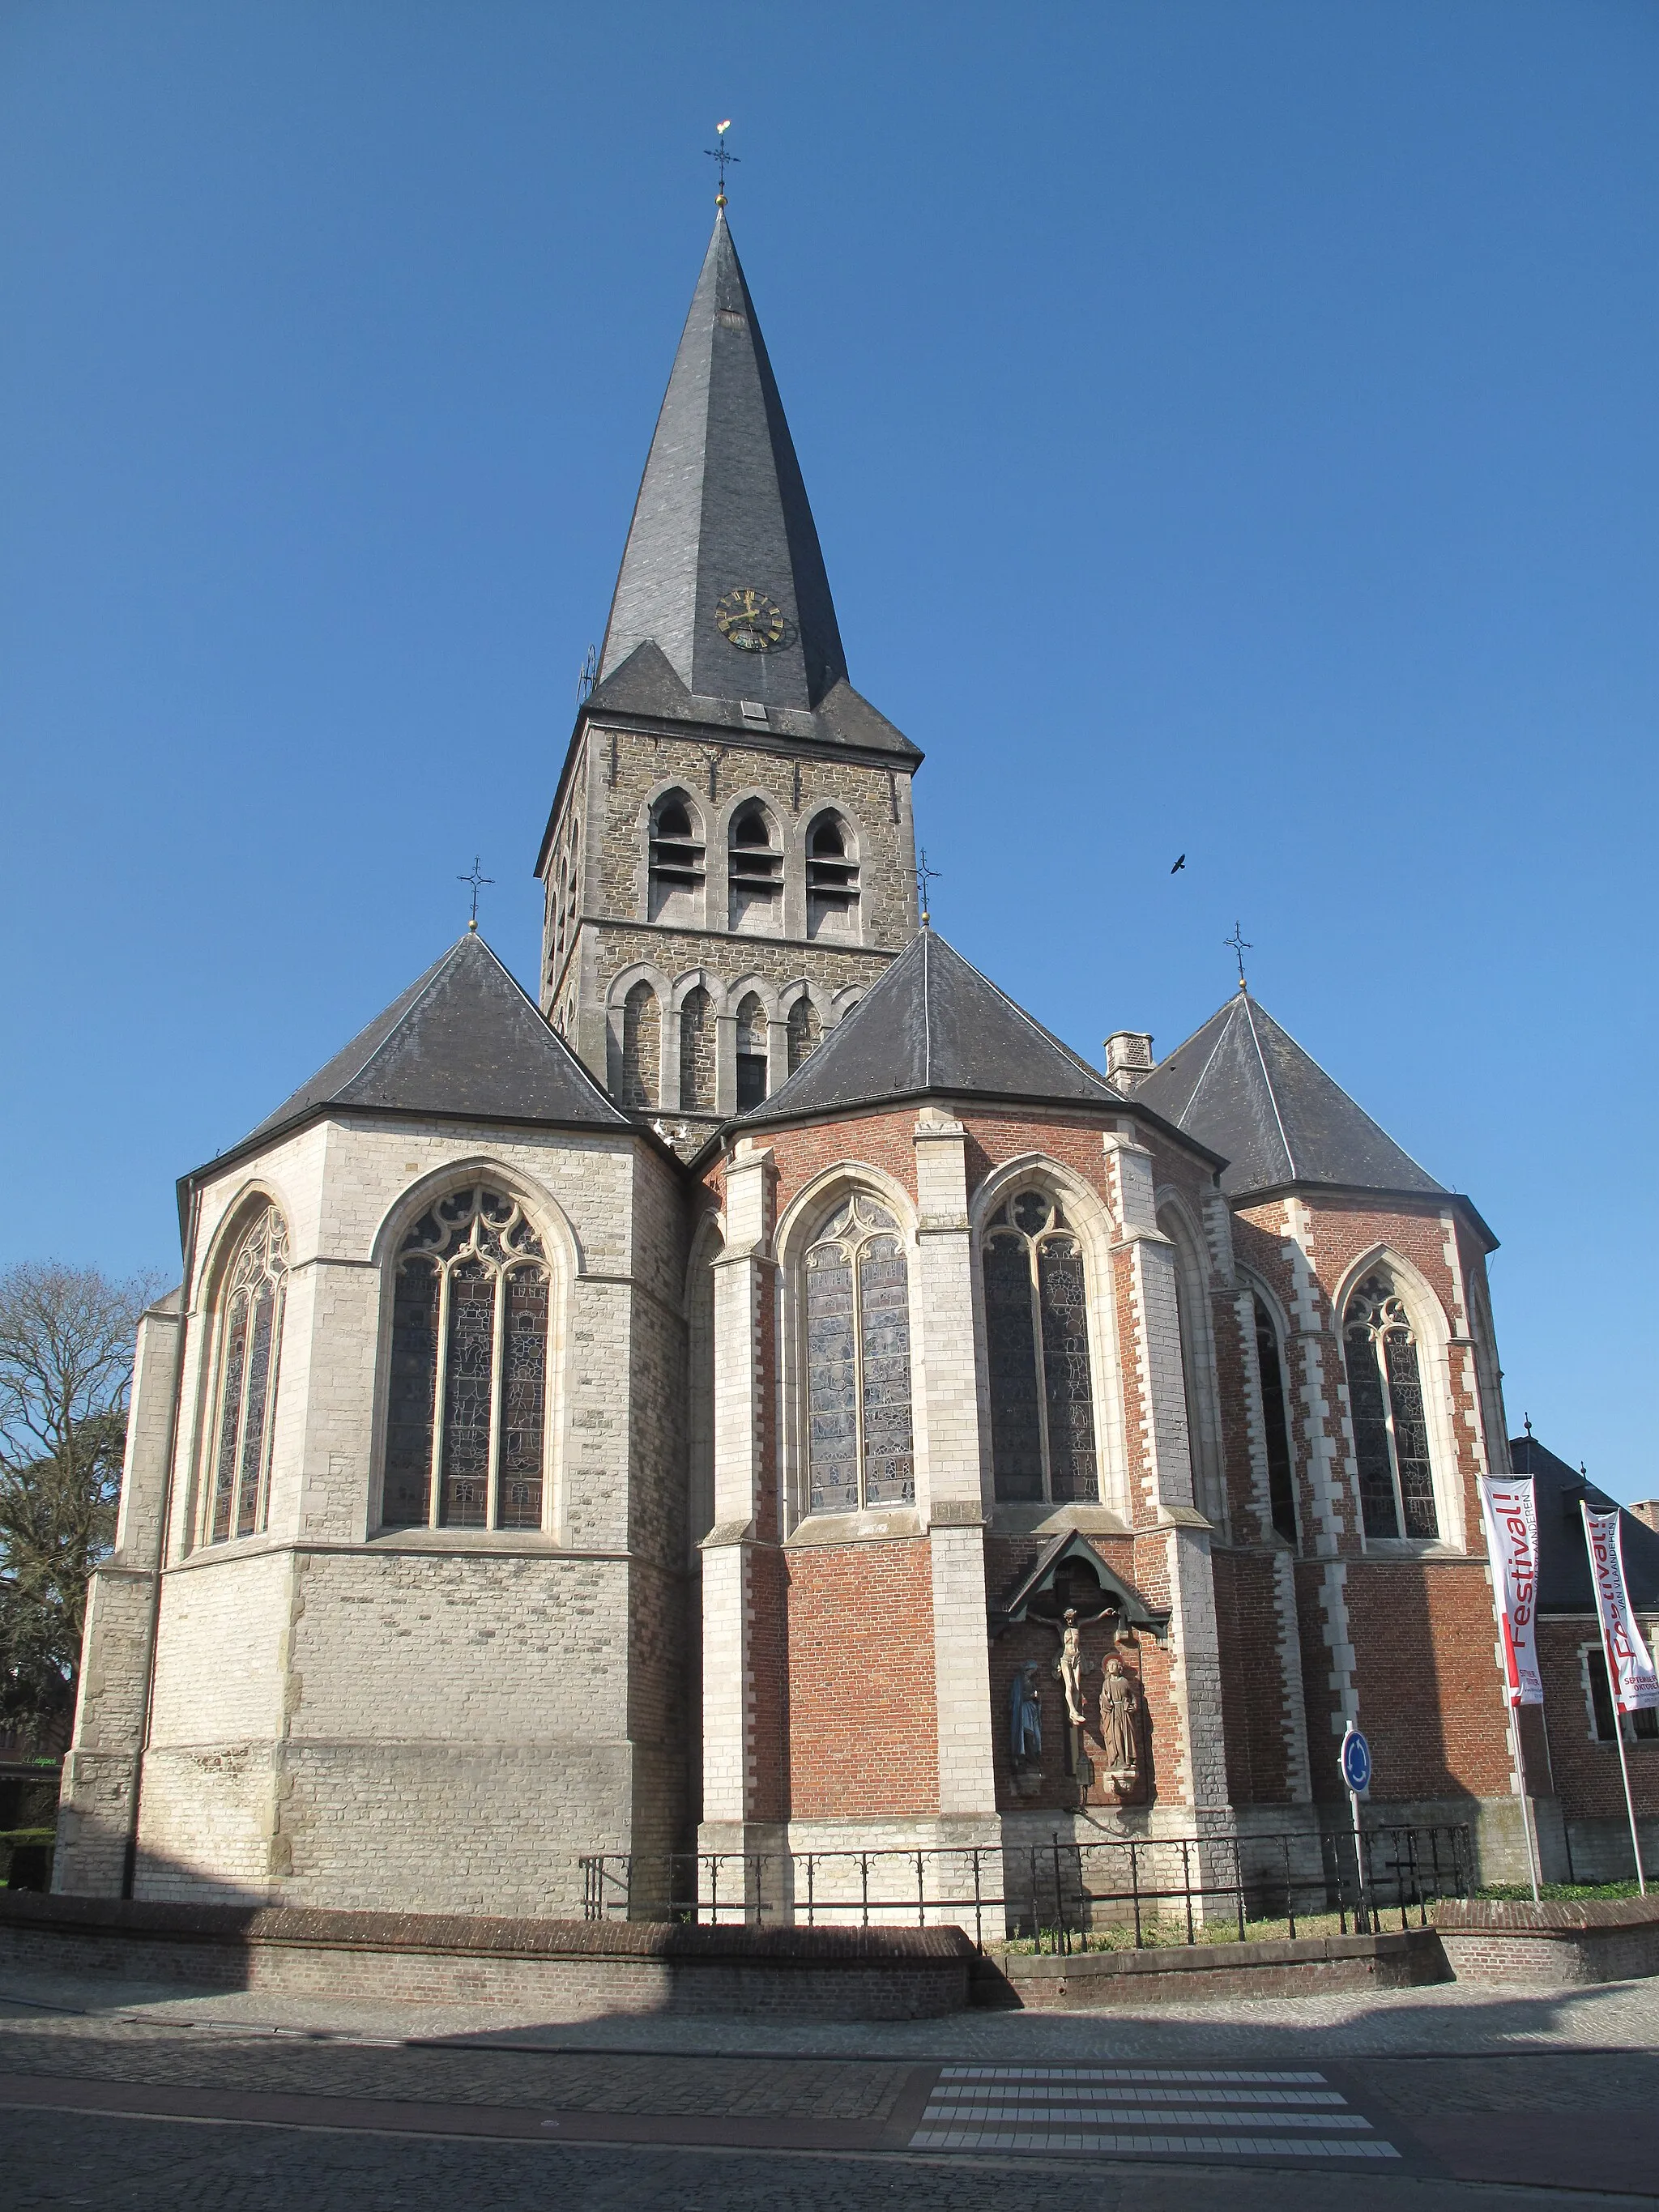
[722,512]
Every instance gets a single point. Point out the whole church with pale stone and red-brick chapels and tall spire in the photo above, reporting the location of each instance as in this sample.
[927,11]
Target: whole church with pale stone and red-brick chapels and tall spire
[766,1392]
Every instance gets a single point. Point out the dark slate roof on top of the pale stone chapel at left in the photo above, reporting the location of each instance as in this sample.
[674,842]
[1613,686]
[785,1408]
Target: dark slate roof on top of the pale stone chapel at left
[461,1041]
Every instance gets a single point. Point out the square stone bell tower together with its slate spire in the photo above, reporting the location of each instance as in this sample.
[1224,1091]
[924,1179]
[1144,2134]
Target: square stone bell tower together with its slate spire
[731,862]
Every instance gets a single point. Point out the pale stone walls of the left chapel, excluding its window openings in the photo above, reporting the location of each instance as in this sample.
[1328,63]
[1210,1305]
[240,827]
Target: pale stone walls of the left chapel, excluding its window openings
[408,1720]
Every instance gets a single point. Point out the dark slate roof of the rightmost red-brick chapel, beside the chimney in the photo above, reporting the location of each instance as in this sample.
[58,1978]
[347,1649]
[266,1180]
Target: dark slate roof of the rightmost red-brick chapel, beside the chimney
[1246,1089]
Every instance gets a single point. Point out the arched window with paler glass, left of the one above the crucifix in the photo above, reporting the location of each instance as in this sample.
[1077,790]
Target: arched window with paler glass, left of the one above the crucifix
[857,1300]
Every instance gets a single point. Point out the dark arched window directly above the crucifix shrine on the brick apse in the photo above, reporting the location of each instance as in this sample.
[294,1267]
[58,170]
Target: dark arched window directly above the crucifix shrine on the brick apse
[1036,1324]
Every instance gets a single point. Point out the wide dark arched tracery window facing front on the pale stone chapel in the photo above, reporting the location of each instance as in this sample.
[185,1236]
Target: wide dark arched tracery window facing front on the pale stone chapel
[468,1392]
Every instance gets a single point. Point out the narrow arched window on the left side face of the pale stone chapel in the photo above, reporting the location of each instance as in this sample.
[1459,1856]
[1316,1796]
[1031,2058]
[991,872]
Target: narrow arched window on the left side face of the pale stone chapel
[251,1339]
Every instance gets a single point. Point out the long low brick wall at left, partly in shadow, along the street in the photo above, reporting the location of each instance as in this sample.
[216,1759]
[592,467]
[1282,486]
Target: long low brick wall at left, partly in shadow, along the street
[559,1970]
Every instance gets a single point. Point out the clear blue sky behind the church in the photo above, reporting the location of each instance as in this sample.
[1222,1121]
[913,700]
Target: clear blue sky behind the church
[1231,432]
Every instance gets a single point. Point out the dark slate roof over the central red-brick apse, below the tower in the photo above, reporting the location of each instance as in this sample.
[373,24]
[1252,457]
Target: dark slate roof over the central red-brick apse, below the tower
[932,1025]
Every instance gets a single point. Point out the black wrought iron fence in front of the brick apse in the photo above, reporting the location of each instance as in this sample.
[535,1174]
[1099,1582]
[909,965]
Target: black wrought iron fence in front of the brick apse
[1123,1892]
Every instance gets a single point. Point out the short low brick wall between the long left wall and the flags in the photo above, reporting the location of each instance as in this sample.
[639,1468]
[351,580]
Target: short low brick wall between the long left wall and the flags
[1196,1974]
